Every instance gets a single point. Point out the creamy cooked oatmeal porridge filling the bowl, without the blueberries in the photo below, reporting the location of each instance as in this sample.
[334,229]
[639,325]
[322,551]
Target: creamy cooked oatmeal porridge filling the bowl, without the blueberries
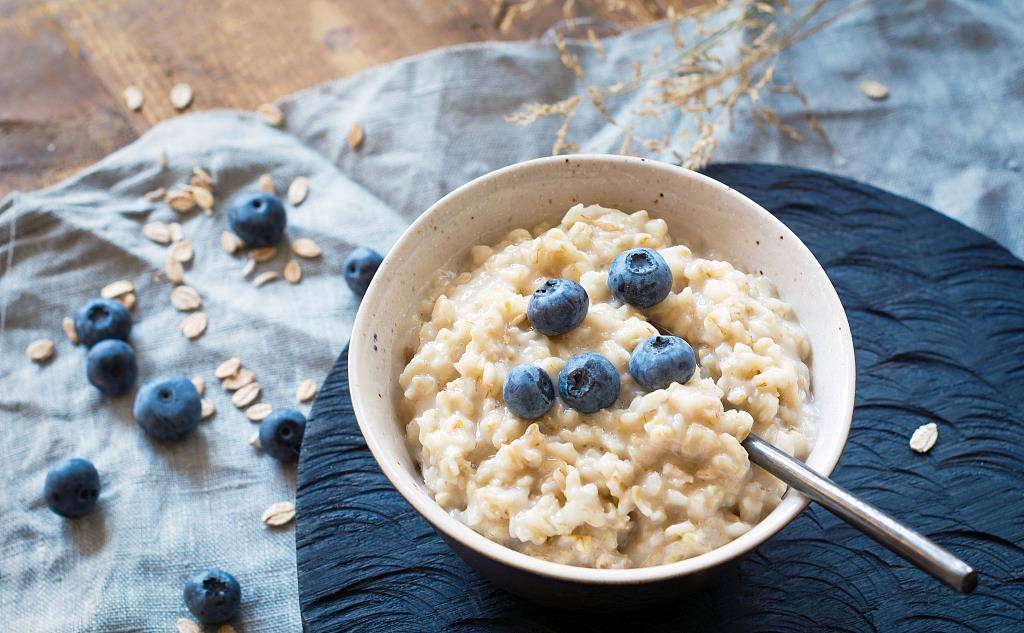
[660,475]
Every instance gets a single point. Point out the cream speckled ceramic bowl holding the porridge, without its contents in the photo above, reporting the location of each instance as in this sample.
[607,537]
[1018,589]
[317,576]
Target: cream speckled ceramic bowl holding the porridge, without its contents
[702,214]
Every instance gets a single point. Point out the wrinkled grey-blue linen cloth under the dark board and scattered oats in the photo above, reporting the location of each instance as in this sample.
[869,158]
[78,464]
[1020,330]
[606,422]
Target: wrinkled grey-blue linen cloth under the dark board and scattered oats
[950,136]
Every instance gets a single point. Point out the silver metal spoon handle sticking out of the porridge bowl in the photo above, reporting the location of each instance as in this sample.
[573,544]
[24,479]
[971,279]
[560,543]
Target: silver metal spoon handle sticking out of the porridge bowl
[899,538]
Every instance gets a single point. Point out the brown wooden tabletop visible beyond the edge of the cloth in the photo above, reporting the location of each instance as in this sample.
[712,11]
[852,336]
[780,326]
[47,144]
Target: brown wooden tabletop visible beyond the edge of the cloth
[65,64]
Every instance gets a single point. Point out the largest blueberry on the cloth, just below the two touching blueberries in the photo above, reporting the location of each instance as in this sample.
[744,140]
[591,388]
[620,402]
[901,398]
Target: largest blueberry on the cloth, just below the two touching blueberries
[168,408]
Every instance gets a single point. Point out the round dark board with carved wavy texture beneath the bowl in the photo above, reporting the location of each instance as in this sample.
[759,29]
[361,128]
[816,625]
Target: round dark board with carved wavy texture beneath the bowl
[937,313]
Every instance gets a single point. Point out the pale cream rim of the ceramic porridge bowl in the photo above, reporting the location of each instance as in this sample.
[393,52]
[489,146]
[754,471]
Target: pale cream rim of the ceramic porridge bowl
[793,502]
